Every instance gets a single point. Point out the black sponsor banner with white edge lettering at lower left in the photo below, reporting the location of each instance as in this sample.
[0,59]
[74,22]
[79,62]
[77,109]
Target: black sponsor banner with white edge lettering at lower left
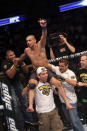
[8,107]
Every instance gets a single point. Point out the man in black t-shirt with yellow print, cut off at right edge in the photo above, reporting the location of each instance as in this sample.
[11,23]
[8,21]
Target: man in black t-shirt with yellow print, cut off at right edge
[82,83]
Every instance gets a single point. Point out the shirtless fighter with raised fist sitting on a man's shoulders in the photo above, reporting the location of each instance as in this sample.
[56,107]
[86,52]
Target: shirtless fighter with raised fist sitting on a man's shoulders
[37,54]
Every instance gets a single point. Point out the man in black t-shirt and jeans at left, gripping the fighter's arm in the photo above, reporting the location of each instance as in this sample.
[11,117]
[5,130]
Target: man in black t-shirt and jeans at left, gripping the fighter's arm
[11,67]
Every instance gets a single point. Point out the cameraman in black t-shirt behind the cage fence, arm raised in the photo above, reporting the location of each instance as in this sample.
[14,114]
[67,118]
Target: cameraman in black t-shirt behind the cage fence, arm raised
[62,49]
